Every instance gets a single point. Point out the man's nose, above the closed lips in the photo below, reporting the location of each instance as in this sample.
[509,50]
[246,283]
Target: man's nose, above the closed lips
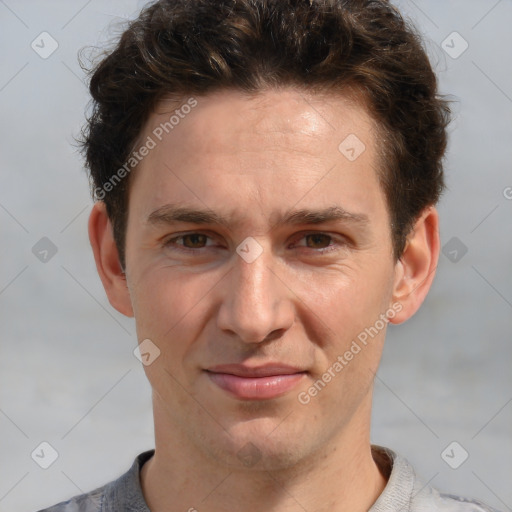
[256,304]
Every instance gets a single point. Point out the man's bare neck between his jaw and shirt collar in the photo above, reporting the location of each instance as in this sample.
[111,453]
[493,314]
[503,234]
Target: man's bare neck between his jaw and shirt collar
[340,476]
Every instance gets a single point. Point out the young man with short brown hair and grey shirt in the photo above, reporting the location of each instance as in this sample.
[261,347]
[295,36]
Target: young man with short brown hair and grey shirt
[266,174]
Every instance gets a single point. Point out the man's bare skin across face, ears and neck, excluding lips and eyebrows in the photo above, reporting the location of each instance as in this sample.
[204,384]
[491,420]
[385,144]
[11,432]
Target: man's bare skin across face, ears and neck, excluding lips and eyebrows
[253,160]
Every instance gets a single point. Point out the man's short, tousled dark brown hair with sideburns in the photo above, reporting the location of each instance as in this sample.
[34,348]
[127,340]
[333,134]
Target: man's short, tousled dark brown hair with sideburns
[179,48]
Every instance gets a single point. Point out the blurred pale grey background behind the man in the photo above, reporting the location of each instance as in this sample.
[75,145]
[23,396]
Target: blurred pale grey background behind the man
[68,375]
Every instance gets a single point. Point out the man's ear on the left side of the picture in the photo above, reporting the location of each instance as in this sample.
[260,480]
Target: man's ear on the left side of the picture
[106,256]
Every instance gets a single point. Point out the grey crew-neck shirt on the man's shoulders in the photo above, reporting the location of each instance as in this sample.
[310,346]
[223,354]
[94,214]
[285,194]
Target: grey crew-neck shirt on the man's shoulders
[403,492]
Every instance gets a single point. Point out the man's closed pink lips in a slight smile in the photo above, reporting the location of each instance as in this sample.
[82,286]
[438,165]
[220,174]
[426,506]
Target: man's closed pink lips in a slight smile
[256,383]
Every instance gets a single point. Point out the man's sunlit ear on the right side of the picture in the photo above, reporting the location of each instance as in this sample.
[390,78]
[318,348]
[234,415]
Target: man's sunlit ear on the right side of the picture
[415,270]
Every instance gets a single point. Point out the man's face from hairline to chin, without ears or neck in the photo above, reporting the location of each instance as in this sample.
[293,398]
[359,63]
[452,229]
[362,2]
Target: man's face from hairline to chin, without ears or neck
[260,289]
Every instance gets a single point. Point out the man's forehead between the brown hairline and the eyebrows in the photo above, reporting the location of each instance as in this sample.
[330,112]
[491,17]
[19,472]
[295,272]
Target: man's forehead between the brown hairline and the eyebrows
[271,149]
